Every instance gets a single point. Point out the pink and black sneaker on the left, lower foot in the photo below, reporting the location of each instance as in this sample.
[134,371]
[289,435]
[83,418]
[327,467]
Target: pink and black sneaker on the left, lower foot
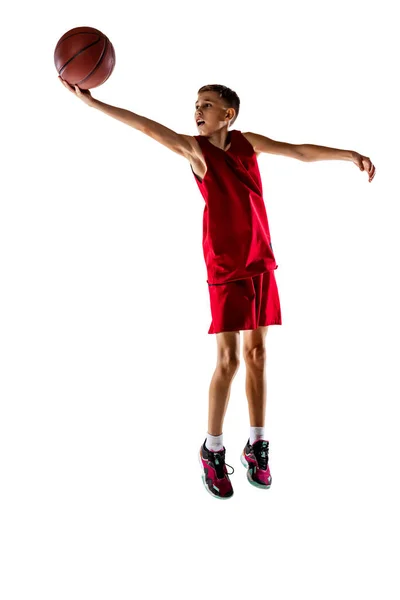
[214,473]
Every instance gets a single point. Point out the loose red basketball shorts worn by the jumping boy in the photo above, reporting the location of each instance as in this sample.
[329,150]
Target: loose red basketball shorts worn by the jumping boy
[245,304]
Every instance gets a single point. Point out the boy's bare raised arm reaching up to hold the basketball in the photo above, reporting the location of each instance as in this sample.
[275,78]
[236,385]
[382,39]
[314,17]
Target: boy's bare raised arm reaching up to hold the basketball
[179,143]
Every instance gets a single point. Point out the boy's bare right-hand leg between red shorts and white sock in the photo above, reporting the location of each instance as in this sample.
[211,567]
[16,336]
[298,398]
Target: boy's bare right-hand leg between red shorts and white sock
[254,354]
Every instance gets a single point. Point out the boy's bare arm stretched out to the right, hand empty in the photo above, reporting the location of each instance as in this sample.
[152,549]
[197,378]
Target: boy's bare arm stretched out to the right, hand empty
[310,152]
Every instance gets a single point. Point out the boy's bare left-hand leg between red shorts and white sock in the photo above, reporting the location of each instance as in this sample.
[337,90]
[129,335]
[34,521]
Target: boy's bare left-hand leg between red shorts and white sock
[228,360]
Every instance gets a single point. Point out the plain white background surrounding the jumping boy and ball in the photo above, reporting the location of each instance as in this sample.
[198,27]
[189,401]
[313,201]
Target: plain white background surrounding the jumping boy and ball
[105,357]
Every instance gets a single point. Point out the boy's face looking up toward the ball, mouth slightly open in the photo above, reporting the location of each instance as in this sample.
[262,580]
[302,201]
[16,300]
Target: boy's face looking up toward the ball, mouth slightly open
[211,110]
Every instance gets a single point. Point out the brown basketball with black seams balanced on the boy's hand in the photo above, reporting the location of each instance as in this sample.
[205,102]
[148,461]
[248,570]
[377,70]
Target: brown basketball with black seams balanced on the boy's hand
[85,57]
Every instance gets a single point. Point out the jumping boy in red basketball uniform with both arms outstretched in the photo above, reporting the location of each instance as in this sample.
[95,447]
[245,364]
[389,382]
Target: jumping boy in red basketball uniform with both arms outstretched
[239,258]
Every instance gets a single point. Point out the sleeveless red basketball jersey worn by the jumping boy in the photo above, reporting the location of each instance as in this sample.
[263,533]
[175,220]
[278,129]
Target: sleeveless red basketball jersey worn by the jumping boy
[236,238]
